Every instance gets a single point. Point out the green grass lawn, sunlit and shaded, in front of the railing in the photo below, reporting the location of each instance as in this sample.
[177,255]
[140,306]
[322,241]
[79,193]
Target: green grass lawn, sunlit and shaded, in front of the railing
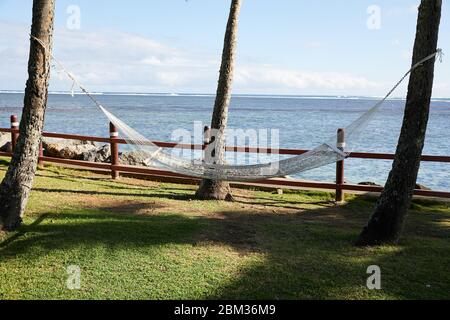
[137,239]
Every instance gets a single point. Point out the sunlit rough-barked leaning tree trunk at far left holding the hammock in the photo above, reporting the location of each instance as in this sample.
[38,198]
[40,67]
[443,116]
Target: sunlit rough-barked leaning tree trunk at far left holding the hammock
[16,186]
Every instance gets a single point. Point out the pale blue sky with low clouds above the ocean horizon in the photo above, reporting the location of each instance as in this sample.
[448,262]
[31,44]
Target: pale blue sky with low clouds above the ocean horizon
[295,47]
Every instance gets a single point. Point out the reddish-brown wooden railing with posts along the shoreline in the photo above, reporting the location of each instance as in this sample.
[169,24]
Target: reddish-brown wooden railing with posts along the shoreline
[115,167]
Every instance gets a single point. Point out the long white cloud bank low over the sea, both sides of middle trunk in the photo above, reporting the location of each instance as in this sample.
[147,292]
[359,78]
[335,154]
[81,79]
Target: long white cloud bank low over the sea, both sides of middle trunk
[108,60]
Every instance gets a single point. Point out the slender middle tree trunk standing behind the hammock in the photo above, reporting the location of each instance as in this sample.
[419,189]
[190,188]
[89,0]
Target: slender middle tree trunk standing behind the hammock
[214,189]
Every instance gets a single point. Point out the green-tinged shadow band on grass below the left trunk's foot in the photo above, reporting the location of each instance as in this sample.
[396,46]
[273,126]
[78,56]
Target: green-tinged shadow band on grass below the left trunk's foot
[94,227]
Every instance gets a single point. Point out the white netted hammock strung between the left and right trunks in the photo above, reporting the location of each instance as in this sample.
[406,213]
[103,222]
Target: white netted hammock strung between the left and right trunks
[322,155]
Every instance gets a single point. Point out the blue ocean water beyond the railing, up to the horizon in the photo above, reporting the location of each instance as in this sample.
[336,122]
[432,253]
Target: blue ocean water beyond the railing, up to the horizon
[303,122]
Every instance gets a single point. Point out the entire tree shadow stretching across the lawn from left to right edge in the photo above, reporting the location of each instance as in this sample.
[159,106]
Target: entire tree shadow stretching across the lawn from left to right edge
[303,255]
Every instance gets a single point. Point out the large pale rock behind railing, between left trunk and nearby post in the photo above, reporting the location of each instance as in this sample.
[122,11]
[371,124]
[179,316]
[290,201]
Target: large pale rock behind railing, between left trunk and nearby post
[67,149]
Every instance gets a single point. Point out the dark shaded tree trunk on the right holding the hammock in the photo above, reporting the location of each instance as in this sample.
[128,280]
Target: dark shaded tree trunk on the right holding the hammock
[387,221]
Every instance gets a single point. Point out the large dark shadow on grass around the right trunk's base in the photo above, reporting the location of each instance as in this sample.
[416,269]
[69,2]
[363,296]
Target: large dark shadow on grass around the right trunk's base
[310,255]
